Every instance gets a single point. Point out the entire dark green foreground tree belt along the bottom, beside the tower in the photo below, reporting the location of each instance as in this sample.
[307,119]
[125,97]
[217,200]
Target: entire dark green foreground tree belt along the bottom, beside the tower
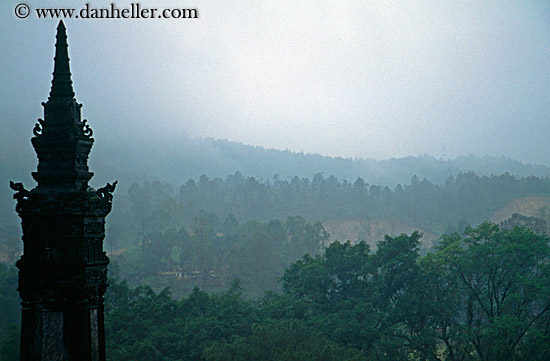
[483,295]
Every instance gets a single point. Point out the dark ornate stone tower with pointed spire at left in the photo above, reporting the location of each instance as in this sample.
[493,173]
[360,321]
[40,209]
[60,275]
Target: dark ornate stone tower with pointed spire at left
[63,269]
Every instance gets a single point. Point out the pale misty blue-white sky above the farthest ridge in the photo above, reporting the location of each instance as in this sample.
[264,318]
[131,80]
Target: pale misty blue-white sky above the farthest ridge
[370,79]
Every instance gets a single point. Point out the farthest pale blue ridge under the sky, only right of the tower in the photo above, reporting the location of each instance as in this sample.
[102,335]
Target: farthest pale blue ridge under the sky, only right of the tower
[190,158]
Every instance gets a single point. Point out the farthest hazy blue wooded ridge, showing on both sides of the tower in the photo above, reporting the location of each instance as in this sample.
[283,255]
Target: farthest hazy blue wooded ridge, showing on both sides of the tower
[191,158]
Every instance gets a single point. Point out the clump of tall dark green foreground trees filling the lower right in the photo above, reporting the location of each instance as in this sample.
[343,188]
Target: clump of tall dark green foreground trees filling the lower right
[484,296]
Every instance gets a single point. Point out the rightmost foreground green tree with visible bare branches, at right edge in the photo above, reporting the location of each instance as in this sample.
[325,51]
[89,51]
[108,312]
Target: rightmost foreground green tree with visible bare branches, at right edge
[495,288]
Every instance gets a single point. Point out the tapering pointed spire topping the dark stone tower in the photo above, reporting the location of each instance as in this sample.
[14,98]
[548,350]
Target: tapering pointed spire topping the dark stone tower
[62,85]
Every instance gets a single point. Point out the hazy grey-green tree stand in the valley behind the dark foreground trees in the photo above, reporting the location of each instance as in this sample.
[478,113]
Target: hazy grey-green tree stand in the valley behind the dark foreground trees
[213,253]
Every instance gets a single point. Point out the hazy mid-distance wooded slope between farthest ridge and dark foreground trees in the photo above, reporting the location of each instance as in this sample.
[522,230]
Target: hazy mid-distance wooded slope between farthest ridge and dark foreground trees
[207,232]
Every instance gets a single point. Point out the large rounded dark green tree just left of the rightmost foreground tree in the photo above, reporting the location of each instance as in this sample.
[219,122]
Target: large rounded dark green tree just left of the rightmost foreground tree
[364,300]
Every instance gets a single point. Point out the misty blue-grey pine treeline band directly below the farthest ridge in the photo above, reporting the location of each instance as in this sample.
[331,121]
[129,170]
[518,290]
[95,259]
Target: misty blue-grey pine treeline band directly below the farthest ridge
[466,198]
